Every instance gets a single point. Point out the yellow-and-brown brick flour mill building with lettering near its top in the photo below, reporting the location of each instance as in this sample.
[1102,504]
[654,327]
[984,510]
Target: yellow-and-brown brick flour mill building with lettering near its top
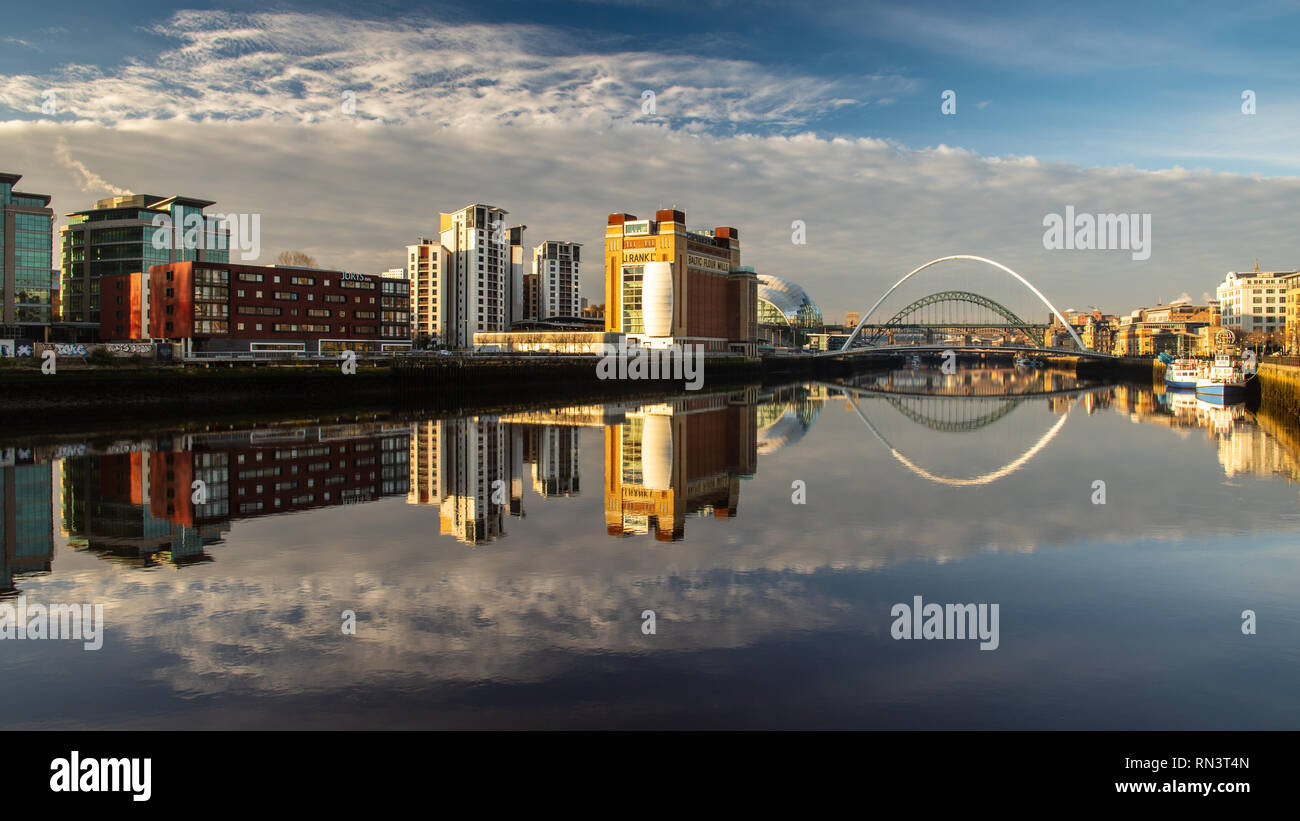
[665,285]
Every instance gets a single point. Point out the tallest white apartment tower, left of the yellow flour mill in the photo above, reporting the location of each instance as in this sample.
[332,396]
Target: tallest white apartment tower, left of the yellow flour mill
[479,272]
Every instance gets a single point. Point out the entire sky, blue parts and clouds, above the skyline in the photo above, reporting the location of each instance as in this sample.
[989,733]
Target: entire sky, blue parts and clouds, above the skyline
[765,114]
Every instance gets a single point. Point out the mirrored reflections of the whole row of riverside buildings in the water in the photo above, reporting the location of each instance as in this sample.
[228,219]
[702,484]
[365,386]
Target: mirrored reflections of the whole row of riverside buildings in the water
[136,502]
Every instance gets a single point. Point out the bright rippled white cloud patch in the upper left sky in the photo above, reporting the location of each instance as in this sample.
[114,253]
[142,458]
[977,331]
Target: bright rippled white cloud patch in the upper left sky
[297,67]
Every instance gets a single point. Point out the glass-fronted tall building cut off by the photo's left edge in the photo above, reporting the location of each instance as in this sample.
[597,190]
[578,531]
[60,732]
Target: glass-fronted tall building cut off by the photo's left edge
[27,236]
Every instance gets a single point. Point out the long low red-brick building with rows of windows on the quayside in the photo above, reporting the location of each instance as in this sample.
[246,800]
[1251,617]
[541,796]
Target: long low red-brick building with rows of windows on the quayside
[224,307]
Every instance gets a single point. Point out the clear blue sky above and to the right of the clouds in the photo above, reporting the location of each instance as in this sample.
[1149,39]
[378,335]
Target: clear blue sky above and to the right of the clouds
[1099,84]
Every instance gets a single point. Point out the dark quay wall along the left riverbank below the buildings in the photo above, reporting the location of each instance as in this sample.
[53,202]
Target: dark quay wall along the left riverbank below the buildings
[158,396]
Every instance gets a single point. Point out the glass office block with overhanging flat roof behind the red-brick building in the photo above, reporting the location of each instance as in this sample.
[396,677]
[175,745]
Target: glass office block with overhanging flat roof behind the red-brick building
[120,236]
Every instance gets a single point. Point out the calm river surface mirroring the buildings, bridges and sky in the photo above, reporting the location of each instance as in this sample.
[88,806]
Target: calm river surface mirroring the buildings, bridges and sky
[501,568]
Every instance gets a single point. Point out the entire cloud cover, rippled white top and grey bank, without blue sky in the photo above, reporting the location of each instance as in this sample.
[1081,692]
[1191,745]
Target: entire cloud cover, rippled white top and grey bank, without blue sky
[246,112]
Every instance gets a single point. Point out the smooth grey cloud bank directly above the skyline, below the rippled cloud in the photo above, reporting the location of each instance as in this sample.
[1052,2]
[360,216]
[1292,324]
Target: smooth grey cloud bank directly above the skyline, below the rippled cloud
[354,197]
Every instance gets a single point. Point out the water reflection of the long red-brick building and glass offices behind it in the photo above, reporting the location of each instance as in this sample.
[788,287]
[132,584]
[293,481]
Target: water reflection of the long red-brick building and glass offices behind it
[168,501]
